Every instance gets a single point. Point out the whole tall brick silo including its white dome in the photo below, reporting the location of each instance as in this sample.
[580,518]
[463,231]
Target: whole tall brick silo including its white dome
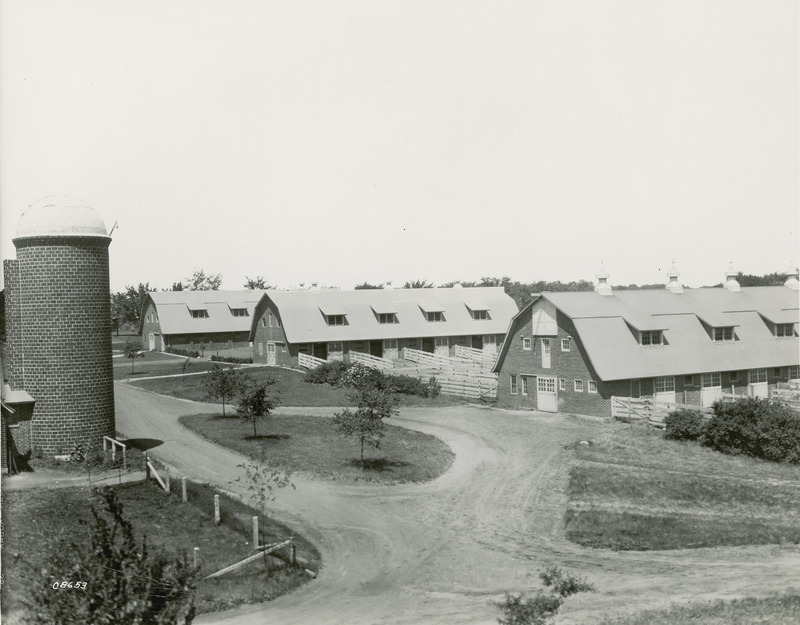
[58,330]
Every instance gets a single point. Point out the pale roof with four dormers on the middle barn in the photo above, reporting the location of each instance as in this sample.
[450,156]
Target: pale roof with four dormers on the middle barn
[302,313]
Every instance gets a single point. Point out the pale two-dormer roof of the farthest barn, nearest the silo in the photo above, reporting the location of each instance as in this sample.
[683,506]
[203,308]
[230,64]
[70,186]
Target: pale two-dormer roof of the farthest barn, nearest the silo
[174,310]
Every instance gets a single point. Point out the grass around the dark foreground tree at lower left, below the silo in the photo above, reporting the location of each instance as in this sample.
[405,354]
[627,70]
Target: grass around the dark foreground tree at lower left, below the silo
[34,521]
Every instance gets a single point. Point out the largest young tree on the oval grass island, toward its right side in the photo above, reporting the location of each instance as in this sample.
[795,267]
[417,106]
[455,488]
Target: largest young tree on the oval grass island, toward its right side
[375,401]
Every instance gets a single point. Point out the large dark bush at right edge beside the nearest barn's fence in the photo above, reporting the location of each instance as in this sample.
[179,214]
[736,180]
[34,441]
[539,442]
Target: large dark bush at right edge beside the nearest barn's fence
[755,427]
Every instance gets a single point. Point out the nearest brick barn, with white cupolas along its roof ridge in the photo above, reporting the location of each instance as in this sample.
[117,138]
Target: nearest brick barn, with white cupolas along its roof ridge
[571,352]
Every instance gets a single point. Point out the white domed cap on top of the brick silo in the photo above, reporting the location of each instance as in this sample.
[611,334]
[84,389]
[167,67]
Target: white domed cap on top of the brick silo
[60,216]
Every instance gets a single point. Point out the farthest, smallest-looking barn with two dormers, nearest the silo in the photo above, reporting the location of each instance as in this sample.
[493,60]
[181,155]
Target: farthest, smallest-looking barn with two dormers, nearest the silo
[191,319]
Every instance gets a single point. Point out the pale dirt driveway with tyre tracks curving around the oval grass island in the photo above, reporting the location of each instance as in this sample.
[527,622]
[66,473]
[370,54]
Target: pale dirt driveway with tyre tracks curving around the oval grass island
[439,552]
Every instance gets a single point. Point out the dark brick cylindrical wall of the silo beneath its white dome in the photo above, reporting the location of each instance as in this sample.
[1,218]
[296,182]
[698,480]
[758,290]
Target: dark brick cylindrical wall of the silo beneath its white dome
[63,342]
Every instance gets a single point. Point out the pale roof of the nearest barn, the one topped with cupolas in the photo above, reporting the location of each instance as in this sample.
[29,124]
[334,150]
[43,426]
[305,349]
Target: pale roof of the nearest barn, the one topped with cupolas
[606,324]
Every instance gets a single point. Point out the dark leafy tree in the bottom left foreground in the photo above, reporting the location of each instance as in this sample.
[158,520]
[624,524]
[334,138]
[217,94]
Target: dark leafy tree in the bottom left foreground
[119,580]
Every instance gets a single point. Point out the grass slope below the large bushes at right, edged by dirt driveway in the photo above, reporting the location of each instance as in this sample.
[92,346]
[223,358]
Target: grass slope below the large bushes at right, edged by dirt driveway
[633,490]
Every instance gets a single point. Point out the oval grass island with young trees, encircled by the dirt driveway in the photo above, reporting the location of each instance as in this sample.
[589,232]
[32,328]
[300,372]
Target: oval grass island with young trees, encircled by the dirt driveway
[312,446]
